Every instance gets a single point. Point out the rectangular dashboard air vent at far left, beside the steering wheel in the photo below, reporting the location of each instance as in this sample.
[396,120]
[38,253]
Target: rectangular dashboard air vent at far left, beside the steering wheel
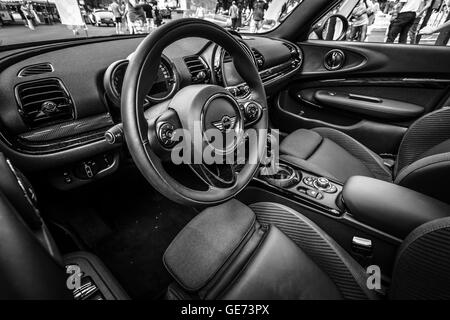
[43,102]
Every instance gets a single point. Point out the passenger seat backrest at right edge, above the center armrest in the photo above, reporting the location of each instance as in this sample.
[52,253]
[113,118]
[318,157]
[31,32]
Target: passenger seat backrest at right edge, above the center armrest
[423,160]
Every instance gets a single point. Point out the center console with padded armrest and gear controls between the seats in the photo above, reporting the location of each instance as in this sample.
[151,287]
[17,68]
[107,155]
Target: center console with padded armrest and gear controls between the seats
[369,218]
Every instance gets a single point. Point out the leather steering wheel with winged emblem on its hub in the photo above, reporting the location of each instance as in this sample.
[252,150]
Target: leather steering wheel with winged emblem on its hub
[196,109]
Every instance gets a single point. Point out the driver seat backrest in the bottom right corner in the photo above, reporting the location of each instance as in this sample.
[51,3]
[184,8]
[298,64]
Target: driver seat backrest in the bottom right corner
[422,267]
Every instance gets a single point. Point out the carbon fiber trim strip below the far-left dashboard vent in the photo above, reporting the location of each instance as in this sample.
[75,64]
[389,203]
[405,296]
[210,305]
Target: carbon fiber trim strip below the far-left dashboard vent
[67,129]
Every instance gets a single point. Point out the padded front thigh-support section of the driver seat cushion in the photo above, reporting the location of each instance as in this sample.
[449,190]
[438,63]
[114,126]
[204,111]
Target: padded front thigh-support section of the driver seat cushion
[205,244]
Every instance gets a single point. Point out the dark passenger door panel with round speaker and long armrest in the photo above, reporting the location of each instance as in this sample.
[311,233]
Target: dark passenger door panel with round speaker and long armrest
[406,81]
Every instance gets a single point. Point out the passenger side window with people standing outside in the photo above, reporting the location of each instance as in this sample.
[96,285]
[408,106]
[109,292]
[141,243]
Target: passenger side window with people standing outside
[424,22]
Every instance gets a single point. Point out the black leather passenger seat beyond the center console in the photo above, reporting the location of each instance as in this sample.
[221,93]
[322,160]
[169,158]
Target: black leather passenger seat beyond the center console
[422,162]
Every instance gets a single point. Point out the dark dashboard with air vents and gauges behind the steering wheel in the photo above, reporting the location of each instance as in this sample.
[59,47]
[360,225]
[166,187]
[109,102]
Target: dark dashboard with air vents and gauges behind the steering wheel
[58,101]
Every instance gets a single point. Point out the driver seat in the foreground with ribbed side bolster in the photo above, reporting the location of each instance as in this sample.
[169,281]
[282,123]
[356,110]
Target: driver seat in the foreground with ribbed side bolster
[269,251]
